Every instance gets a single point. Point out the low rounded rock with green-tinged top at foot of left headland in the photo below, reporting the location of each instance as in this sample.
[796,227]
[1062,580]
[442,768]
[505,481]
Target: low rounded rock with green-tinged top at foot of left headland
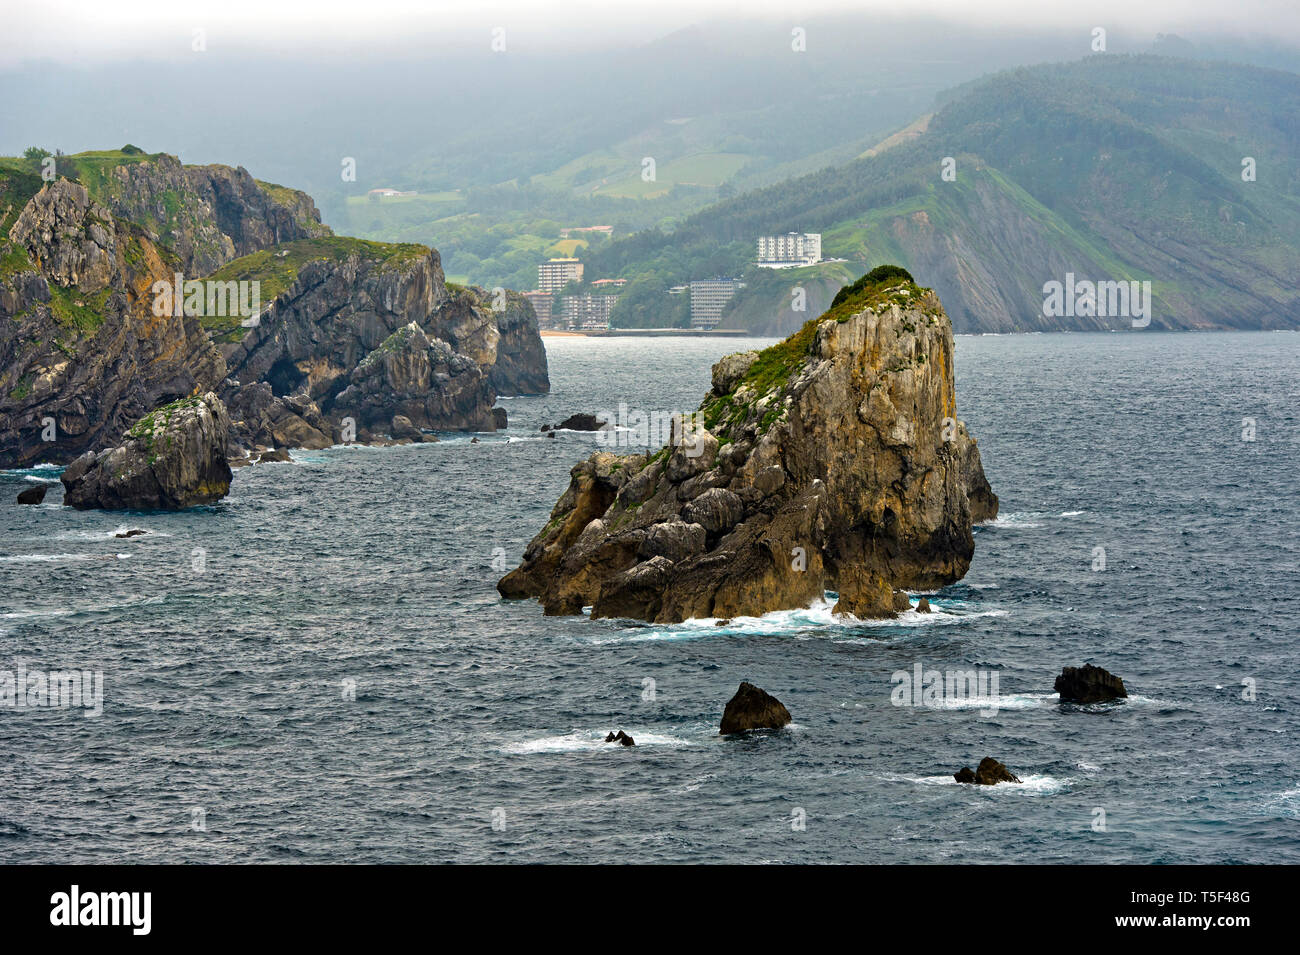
[175,458]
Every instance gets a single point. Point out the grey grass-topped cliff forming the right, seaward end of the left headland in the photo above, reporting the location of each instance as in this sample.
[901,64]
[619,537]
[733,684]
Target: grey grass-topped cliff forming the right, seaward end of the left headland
[370,332]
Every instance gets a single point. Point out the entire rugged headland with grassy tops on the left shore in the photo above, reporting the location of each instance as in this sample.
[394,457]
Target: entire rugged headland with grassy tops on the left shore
[84,355]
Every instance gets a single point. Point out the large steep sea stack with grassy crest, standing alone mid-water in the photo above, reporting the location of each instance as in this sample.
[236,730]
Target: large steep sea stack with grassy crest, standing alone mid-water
[830,462]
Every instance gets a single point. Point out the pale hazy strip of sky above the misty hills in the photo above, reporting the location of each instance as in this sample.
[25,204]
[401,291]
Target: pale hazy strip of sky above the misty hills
[97,32]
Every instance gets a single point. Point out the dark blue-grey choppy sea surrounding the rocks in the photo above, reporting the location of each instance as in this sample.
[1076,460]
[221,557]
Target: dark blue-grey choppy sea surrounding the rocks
[228,639]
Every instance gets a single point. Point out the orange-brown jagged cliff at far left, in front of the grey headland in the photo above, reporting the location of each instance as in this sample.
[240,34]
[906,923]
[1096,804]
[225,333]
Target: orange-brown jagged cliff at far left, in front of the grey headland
[83,354]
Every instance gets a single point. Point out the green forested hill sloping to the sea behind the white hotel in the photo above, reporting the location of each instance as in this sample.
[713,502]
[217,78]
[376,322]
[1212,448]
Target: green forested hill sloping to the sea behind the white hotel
[1143,168]
